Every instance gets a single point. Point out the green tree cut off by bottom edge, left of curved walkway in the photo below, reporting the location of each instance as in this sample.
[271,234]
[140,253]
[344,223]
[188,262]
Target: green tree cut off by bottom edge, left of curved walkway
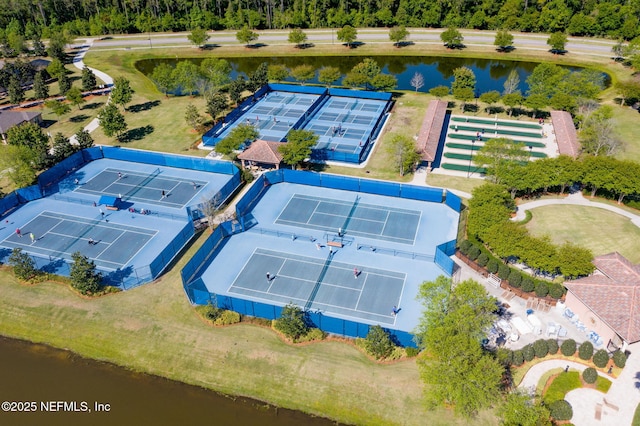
[519,409]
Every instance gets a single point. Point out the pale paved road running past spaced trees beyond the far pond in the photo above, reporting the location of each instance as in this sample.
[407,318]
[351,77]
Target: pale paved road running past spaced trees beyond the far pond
[524,41]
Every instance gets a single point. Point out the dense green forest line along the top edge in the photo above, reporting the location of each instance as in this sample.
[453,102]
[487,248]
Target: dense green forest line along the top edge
[22,20]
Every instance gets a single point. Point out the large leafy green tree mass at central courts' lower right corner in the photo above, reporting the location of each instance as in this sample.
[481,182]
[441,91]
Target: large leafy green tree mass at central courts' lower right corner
[456,369]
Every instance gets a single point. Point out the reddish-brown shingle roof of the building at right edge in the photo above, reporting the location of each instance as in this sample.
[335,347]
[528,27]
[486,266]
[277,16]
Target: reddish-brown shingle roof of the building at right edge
[613,294]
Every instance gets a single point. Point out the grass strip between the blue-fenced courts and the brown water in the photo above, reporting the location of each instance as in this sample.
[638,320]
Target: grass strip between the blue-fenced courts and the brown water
[154,329]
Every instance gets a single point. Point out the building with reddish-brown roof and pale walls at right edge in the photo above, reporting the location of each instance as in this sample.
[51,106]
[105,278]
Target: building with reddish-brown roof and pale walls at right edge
[608,301]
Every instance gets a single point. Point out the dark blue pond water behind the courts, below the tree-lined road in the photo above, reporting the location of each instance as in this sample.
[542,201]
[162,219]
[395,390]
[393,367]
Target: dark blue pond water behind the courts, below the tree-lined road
[490,73]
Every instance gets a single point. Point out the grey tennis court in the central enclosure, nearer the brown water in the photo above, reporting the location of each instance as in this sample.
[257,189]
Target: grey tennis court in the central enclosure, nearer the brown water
[321,284]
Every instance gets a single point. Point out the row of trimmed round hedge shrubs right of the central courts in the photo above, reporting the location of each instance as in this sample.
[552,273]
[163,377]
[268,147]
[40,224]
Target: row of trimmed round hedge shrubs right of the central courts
[515,277]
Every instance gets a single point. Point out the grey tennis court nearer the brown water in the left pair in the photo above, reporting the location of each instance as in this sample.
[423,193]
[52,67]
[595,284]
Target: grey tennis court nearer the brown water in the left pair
[58,236]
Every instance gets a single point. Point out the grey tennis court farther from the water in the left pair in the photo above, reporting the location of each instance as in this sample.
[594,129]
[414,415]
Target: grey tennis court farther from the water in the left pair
[142,187]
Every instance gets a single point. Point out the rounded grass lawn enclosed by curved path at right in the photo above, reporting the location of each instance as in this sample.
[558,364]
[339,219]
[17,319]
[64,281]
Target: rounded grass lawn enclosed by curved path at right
[584,226]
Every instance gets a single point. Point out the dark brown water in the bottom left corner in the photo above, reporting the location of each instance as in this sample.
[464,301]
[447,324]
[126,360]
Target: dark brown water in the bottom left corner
[50,378]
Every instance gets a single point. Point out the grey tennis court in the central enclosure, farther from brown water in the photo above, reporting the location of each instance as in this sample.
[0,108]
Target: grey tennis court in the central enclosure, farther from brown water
[353,218]
